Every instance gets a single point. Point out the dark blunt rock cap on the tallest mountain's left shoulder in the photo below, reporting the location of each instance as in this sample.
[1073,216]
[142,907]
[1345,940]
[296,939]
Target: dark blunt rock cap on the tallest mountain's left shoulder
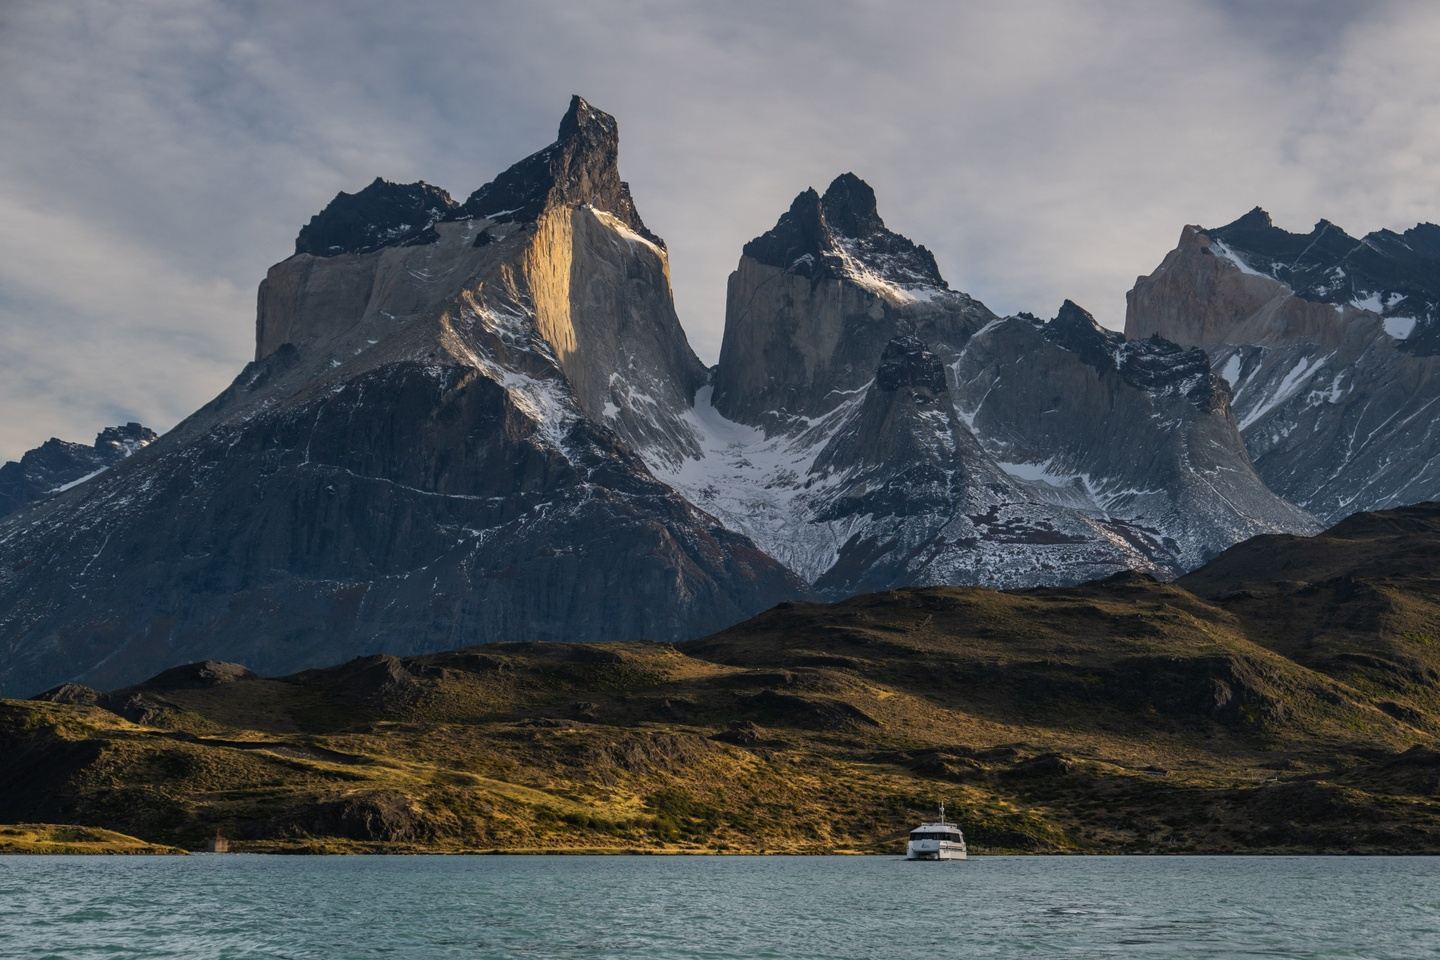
[381,215]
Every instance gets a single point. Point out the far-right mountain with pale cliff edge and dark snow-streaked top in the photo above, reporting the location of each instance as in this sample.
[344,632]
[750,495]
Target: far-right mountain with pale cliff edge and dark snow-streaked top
[1331,348]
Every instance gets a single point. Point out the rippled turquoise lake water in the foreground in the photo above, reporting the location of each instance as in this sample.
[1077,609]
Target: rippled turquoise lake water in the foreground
[669,907]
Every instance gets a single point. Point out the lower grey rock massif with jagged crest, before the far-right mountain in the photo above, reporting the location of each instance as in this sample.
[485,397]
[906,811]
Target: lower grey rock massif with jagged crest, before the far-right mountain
[1140,431]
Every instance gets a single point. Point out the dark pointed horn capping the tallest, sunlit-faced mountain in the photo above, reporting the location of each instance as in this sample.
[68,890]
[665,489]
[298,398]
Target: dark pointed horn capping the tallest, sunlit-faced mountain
[581,168]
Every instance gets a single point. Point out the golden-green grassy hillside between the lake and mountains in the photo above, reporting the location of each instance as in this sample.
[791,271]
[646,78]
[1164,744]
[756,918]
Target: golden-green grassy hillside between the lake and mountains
[1284,699]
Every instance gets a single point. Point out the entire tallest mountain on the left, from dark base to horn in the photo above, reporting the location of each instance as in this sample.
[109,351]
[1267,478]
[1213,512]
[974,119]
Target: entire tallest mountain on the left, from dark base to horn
[433,448]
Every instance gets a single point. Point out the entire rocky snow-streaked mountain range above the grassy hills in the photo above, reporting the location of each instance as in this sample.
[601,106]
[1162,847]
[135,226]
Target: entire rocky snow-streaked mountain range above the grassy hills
[482,421]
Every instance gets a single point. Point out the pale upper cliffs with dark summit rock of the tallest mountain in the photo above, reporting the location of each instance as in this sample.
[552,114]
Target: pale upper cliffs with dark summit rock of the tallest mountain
[567,253]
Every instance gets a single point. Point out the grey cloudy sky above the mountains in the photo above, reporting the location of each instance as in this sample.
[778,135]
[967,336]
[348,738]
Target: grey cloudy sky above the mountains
[159,155]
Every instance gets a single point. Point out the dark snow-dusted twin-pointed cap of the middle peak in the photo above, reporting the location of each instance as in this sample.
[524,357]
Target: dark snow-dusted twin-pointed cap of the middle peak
[840,235]
